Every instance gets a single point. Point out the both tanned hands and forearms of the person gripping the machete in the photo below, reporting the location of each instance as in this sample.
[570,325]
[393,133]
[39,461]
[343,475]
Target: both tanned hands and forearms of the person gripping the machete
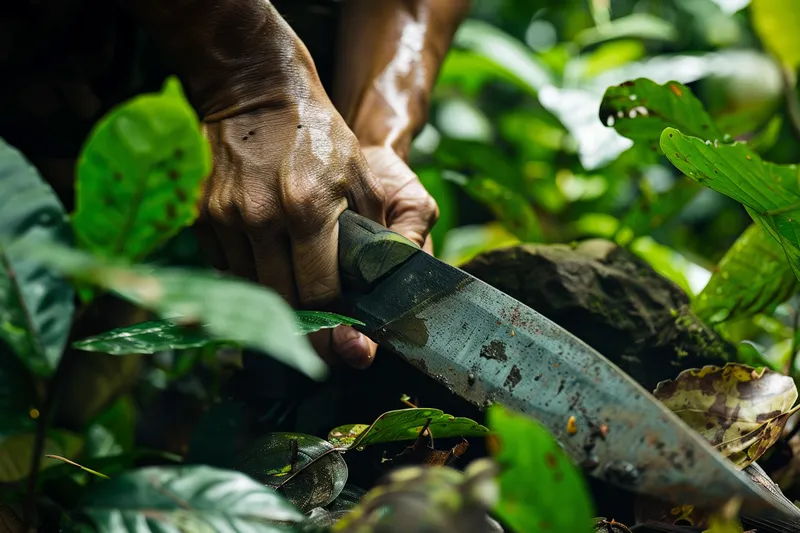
[287,162]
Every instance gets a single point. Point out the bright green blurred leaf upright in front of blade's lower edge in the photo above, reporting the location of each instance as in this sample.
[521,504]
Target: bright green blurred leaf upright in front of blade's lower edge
[536,477]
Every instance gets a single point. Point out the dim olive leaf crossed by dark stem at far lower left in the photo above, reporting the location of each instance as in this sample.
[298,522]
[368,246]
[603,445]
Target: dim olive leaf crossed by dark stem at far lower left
[16,452]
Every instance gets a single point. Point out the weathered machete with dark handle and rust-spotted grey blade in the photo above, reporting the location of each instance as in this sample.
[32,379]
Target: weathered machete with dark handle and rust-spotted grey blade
[487,347]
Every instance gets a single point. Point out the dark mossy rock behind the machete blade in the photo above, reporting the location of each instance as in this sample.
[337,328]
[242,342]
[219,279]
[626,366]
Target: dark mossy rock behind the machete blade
[610,299]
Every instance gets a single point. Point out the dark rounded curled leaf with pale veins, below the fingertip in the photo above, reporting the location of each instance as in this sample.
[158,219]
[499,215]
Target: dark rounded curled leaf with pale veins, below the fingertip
[306,469]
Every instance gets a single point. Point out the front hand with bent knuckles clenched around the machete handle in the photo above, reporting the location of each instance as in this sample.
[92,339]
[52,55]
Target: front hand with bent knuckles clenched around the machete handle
[282,176]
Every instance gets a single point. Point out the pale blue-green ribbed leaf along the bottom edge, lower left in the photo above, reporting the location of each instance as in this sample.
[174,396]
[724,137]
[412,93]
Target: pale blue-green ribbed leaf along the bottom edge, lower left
[187,498]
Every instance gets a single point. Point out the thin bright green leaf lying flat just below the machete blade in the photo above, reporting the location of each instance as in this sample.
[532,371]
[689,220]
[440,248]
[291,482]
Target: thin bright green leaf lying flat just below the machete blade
[406,424]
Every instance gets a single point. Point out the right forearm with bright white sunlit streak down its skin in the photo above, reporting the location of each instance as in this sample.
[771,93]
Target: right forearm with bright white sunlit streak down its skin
[390,55]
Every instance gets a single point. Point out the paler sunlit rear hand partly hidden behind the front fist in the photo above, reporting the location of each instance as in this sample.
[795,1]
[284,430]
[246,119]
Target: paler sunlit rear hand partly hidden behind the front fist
[410,211]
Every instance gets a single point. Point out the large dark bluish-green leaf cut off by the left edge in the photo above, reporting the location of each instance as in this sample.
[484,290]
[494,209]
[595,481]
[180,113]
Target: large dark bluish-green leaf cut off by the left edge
[36,306]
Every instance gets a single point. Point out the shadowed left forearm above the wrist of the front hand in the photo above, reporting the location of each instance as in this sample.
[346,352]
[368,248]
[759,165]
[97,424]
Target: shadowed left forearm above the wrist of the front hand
[232,54]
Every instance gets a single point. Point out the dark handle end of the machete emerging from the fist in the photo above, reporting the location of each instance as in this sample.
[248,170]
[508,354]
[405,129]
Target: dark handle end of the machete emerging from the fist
[368,251]
